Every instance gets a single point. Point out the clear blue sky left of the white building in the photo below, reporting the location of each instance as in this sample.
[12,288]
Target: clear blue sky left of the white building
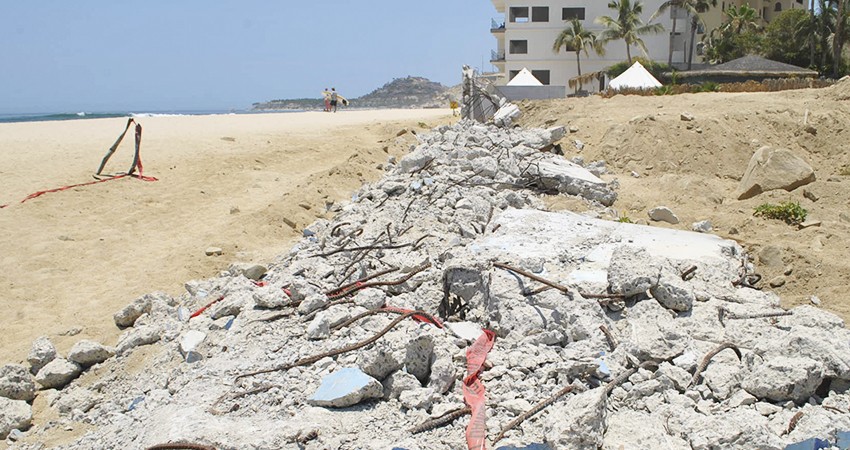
[160,55]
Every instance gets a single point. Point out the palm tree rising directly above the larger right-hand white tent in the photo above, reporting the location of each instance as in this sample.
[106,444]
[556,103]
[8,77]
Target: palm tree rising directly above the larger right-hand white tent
[628,25]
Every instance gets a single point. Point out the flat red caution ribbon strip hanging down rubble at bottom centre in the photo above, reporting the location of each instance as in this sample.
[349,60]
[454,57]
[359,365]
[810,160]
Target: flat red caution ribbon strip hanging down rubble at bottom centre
[473,390]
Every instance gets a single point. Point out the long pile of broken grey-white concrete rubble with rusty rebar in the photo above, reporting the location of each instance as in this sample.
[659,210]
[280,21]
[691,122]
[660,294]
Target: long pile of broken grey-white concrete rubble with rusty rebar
[658,333]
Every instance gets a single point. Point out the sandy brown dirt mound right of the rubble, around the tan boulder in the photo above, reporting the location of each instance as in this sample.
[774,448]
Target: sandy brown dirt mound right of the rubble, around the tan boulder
[689,152]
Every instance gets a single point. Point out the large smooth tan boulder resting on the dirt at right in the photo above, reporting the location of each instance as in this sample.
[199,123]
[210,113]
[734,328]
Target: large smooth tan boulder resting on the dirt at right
[771,169]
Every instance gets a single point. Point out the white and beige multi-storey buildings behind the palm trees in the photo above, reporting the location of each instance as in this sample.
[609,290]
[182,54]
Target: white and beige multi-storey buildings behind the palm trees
[528,30]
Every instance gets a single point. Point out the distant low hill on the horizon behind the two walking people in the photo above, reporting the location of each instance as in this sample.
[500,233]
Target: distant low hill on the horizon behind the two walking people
[408,92]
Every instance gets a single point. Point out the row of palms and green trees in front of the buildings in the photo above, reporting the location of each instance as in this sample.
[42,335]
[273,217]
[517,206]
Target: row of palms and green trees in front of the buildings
[814,38]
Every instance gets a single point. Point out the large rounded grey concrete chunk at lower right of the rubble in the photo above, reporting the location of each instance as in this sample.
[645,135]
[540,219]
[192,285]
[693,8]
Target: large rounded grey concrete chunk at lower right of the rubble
[781,379]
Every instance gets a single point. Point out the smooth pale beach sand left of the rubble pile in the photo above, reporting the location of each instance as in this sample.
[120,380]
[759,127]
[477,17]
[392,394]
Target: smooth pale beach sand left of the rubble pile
[73,258]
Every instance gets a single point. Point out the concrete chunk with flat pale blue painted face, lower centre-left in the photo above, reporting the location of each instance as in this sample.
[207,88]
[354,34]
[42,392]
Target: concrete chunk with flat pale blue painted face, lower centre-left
[346,387]
